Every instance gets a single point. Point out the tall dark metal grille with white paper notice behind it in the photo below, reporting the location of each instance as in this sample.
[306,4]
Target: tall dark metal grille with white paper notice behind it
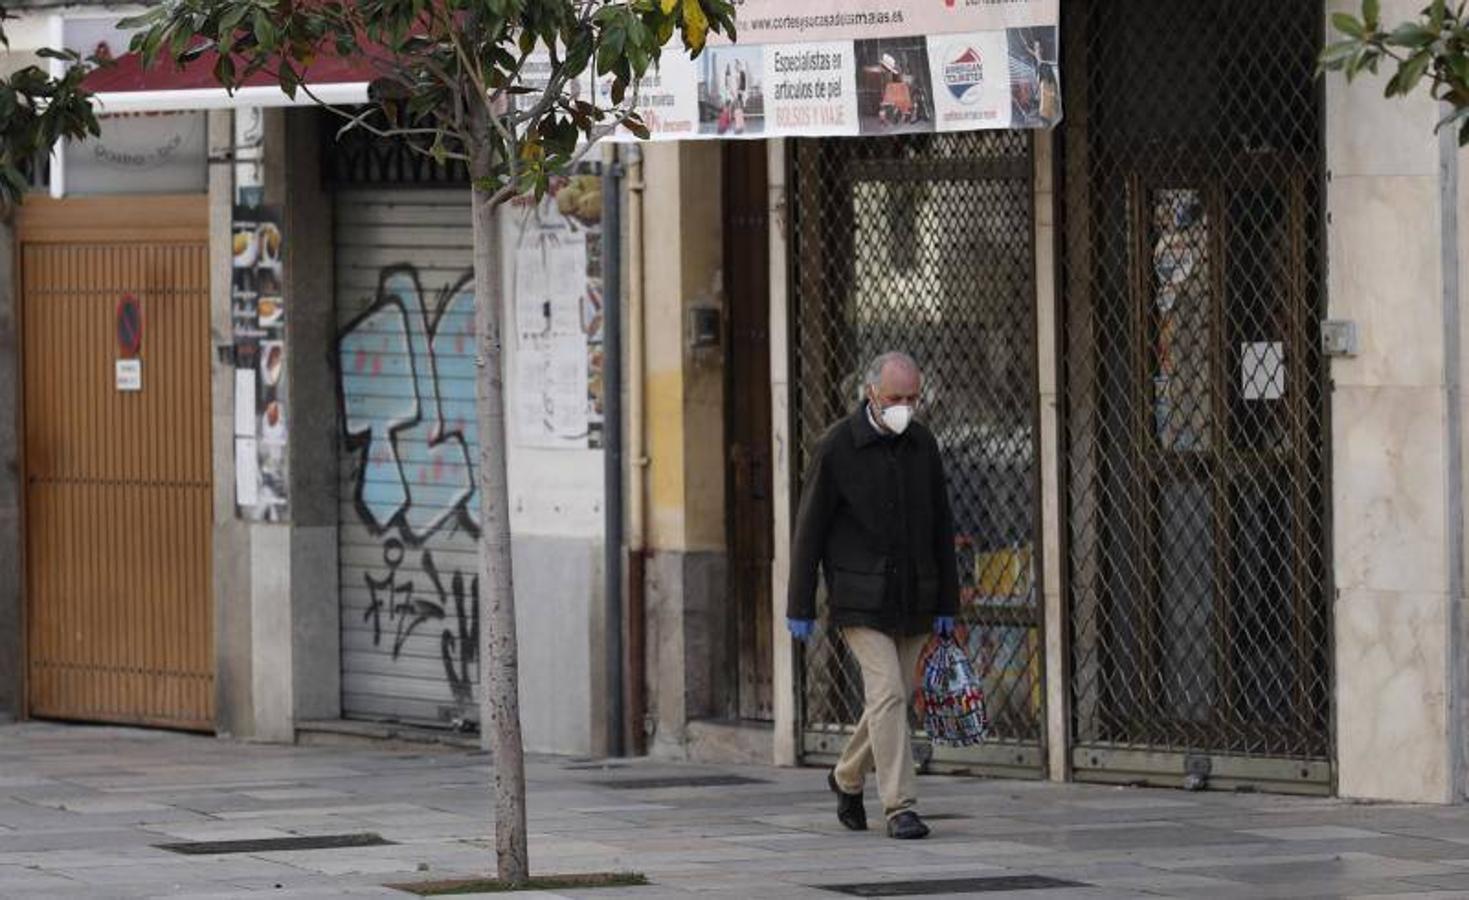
[1197,457]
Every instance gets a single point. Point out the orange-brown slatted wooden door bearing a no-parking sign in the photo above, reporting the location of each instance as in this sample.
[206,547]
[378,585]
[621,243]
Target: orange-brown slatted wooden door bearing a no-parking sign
[118,500]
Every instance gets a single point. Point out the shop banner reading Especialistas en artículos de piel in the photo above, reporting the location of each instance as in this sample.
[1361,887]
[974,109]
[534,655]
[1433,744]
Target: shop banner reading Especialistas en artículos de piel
[903,67]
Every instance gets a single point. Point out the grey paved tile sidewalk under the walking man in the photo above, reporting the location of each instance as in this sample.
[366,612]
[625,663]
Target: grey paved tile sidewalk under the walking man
[83,811]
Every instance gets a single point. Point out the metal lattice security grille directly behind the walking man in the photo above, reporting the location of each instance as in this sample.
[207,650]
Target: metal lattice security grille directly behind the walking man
[925,244]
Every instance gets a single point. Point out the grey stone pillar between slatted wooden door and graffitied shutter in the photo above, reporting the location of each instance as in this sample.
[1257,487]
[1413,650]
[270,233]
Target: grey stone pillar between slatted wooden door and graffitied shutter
[277,606]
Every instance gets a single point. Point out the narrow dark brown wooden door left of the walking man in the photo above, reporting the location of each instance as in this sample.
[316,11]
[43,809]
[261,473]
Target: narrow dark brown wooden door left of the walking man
[747,281]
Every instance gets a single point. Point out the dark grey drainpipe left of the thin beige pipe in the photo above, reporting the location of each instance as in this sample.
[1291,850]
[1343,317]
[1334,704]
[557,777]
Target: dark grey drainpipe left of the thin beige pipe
[613,443]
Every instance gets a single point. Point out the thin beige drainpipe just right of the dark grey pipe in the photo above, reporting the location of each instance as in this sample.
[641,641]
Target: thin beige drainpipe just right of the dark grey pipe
[638,465]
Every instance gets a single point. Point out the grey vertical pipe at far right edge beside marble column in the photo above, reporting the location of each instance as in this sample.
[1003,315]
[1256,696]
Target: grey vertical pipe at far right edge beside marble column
[1454,397]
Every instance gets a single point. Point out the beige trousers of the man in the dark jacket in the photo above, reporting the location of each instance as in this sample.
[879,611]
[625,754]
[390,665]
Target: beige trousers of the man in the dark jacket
[884,742]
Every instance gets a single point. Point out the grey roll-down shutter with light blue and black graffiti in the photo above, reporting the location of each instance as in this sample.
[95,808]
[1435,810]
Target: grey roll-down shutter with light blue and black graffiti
[409,507]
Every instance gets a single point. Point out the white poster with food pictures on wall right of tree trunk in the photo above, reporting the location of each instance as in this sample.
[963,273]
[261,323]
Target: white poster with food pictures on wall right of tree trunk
[557,284]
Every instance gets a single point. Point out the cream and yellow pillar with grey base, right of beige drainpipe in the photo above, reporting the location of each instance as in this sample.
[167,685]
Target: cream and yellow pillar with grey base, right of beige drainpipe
[687,587]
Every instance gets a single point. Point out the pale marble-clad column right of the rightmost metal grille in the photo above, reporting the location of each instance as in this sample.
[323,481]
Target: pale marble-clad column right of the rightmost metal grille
[1393,509]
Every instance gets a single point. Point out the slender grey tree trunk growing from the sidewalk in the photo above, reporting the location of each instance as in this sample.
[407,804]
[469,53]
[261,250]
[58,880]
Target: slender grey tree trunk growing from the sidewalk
[499,650]
